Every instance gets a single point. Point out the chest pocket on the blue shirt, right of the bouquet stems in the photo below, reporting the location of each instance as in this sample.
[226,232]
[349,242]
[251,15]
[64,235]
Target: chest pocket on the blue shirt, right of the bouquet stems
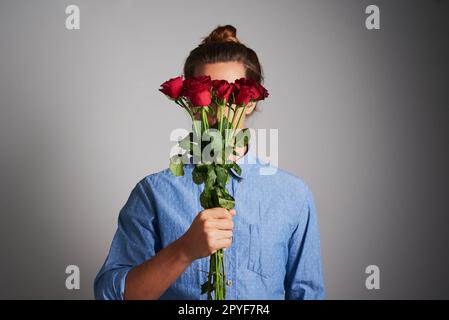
[261,259]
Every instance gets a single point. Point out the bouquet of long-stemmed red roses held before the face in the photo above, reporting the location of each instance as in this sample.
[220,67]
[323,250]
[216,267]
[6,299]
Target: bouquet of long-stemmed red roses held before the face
[216,109]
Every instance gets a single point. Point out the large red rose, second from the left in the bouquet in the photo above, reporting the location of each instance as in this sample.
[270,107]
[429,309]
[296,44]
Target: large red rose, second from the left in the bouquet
[197,89]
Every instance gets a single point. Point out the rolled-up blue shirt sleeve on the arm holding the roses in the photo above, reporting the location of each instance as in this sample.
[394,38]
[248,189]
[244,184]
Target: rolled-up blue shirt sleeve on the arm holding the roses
[135,241]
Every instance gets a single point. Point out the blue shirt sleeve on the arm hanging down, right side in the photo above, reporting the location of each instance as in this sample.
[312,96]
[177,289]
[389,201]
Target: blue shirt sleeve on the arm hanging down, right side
[304,280]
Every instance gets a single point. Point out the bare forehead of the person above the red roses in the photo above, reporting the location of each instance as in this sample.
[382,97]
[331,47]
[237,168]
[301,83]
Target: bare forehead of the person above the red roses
[229,71]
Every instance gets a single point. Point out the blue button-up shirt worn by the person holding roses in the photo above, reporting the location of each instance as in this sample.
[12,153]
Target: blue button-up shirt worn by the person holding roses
[275,252]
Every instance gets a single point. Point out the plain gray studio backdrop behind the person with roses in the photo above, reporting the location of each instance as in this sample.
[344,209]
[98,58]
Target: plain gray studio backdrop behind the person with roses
[362,117]
